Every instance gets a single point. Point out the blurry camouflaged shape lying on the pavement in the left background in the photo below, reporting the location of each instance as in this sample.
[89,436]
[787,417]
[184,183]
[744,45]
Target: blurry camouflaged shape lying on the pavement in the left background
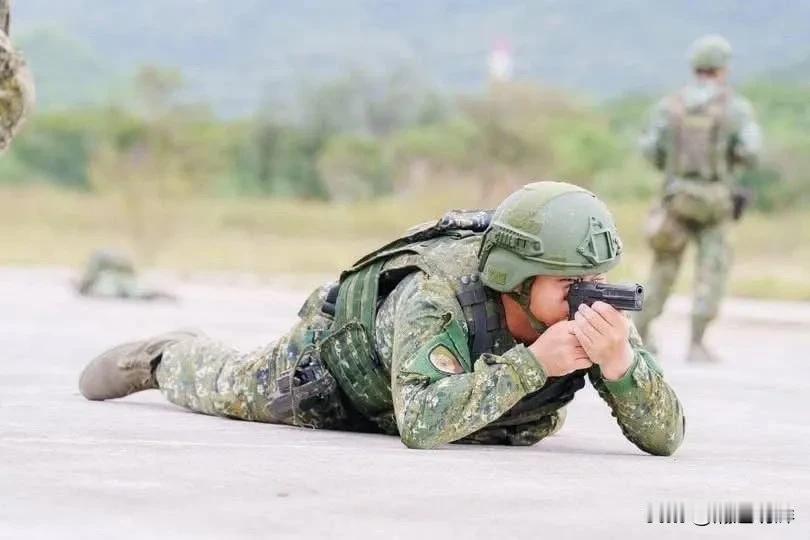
[109,274]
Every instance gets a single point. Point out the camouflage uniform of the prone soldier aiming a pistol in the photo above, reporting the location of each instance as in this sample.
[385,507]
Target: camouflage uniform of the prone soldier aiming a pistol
[435,401]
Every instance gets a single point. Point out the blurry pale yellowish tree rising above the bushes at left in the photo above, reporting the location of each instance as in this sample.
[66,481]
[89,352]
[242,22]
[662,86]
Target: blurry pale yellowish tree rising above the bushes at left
[166,151]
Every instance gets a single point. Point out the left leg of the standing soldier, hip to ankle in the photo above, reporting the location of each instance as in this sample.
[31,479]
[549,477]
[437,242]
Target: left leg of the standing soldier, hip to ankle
[667,237]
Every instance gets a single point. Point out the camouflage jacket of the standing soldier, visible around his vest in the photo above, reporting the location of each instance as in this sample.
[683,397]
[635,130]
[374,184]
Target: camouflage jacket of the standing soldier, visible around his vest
[744,142]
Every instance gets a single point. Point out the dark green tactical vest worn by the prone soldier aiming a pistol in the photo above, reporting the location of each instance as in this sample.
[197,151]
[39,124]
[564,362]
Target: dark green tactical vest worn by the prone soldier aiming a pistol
[448,249]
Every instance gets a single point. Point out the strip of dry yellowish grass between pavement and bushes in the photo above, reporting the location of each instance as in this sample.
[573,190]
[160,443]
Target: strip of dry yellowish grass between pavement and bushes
[44,226]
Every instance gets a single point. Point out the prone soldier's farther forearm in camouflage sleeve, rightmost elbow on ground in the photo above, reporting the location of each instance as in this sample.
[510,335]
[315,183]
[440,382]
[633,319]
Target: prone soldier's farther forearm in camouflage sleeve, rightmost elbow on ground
[645,406]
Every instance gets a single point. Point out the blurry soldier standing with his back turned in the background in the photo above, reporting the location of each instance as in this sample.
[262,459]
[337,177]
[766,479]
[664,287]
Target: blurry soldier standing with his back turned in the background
[700,137]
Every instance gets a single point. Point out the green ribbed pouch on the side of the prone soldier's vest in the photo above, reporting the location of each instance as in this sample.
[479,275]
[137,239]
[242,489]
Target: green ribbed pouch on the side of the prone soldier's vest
[349,353]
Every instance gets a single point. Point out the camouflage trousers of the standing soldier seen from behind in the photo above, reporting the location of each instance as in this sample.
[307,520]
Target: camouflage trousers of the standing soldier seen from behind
[668,236]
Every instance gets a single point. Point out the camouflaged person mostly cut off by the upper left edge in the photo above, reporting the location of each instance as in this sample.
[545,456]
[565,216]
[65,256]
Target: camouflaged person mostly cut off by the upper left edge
[16,83]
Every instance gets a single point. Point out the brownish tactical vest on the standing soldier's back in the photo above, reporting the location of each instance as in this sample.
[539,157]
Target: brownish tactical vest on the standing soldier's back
[698,142]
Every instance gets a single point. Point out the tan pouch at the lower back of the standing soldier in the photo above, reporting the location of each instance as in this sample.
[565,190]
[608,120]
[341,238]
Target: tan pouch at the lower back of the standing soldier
[699,202]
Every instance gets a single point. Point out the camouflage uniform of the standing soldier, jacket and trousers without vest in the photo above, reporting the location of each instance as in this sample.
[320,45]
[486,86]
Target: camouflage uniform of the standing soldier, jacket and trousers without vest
[695,208]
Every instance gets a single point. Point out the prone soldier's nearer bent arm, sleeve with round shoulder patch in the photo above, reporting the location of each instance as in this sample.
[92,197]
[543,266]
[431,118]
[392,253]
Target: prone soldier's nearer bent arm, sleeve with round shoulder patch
[440,393]
